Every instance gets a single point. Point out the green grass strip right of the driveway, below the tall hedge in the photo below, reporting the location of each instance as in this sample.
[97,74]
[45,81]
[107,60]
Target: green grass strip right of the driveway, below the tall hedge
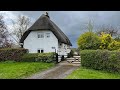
[83,73]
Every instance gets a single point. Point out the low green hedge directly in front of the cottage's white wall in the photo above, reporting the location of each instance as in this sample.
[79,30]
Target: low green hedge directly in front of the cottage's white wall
[38,57]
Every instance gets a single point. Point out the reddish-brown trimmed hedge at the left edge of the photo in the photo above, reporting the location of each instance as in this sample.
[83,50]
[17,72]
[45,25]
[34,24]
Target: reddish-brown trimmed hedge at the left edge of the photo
[12,54]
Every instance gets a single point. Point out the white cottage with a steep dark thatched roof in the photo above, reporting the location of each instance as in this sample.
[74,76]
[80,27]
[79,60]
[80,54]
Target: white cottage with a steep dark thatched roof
[45,36]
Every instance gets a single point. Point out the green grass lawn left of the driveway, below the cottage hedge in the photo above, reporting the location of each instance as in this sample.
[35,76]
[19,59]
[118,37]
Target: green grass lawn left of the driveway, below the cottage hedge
[16,70]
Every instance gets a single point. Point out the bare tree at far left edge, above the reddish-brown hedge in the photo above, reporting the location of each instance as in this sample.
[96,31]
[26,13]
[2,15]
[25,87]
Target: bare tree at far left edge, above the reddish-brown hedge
[4,42]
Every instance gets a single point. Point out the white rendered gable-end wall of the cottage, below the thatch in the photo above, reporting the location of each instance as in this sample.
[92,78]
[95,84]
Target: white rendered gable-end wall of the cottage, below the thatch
[33,43]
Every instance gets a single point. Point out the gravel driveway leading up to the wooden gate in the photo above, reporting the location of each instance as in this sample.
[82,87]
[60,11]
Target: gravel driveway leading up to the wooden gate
[58,72]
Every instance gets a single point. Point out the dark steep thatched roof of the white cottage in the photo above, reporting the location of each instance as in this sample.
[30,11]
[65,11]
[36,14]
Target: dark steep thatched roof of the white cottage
[44,23]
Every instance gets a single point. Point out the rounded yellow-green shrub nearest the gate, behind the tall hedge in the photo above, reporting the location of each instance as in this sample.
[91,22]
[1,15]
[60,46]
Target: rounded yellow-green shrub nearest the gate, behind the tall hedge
[88,40]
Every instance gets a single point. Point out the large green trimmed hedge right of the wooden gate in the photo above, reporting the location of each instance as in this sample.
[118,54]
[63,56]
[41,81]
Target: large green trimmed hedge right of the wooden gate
[101,60]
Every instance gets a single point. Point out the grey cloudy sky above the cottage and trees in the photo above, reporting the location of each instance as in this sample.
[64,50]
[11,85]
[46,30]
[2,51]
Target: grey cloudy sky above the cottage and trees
[72,23]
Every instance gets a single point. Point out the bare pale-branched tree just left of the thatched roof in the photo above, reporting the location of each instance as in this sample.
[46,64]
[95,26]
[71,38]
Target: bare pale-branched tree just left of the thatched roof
[20,25]
